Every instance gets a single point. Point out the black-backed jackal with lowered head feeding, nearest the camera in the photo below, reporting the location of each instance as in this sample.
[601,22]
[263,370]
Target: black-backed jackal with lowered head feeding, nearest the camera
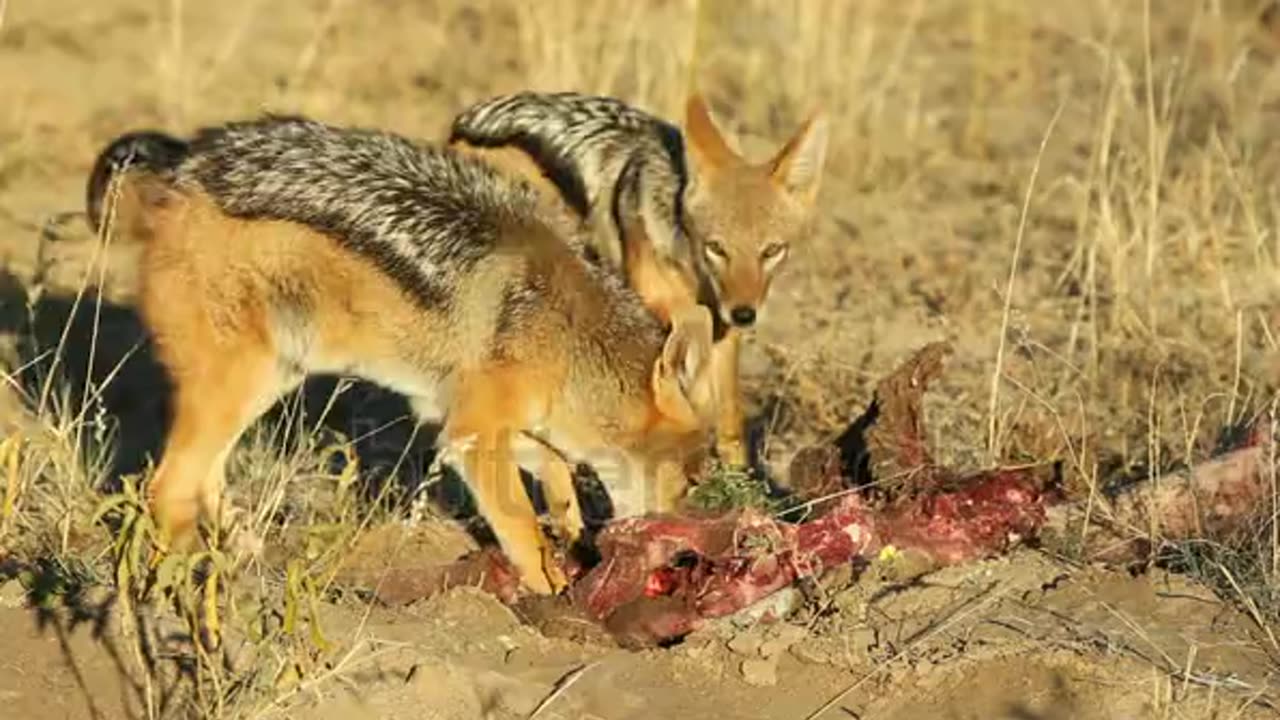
[281,248]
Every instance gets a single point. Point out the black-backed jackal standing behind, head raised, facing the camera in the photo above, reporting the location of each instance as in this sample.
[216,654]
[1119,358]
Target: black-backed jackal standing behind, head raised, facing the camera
[712,230]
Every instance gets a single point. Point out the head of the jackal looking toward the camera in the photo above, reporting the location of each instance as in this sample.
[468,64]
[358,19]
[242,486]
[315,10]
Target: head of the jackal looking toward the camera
[744,218]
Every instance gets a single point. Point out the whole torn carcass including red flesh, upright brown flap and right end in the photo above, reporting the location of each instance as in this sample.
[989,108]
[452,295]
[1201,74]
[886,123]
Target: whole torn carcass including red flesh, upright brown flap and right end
[662,577]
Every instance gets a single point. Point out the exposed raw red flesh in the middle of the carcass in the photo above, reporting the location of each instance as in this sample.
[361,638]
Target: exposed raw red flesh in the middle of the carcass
[705,569]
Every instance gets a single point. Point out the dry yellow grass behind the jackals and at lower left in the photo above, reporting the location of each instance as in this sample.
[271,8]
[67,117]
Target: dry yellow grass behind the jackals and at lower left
[1081,198]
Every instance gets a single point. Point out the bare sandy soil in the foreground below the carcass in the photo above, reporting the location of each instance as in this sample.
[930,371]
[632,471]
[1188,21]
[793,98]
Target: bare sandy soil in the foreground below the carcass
[1018,637]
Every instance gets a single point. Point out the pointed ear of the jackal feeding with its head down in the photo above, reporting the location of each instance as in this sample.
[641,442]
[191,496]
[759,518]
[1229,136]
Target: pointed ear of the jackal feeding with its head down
[682,376]
